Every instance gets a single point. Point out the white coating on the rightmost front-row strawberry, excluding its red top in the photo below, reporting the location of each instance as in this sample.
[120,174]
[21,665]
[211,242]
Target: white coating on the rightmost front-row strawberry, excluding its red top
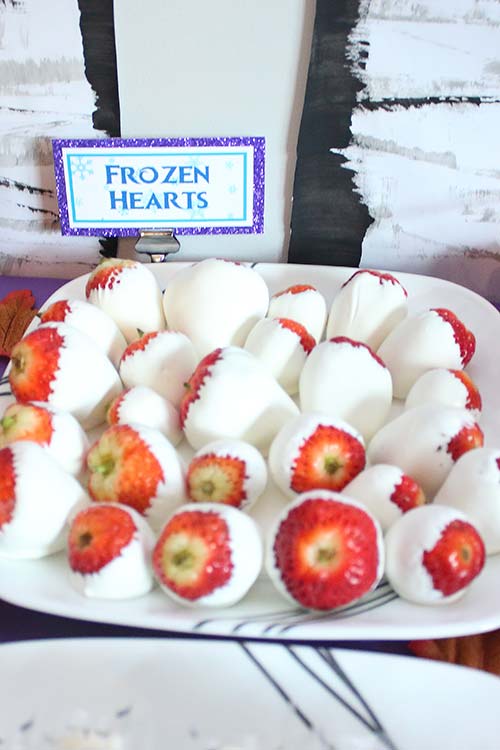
[416,532]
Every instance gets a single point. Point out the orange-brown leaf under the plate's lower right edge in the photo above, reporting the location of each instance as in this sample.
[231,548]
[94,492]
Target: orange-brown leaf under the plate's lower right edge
[478,651]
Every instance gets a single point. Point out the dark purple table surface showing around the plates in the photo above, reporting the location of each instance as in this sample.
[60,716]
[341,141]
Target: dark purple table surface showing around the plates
[18,623]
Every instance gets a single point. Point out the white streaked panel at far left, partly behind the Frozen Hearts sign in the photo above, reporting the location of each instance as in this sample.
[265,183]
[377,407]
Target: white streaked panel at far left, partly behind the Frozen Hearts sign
[43,94]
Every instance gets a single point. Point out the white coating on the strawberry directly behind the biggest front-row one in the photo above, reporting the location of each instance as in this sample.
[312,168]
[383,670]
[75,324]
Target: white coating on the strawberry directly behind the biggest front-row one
[286,445]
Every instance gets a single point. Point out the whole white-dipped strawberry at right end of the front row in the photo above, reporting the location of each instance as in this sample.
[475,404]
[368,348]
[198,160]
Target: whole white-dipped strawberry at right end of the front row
[433,554]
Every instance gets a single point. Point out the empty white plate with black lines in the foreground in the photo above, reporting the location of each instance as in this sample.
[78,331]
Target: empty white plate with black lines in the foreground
[128,694]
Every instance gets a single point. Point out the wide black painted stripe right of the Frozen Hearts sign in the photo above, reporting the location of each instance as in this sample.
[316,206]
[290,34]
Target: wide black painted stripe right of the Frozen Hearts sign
[329,220]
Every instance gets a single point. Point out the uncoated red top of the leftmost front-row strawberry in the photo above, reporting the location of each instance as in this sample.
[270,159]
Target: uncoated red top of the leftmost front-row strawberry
[97,536]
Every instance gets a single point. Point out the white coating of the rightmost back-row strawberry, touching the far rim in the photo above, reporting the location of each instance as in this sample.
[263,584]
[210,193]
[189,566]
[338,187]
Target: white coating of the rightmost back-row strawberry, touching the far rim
[367,308]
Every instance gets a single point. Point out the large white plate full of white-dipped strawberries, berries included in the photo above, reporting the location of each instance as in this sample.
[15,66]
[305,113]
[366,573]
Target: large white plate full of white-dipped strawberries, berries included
[263,450]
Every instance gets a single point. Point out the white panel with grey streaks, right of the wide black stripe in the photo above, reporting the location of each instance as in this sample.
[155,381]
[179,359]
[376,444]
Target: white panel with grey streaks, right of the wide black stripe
[430,173]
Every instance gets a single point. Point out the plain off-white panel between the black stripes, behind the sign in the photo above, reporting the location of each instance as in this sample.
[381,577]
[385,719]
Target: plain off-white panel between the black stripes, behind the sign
[194,68]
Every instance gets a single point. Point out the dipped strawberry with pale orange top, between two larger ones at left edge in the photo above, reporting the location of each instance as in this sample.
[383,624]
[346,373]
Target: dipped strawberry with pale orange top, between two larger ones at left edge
[57,431]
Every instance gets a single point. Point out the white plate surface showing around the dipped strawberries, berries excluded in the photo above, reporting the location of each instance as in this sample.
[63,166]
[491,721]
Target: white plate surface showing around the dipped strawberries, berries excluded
[43,585]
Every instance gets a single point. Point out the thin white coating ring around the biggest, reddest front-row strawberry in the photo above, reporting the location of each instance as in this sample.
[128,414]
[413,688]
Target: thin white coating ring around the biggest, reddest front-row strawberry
[270,559]
